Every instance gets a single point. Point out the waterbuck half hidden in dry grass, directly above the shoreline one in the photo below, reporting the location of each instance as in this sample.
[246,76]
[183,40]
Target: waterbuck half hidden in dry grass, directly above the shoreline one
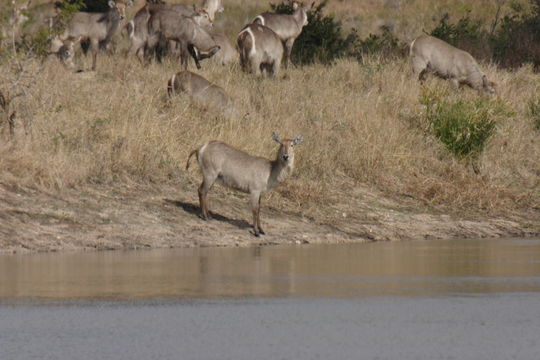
[201,91]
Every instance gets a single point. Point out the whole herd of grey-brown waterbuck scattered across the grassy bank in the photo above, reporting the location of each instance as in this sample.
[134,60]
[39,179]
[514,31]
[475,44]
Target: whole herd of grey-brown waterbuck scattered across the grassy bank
[186,32]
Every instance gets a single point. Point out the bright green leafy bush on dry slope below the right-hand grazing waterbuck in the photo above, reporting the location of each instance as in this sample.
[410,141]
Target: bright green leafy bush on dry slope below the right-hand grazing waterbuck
[463,126]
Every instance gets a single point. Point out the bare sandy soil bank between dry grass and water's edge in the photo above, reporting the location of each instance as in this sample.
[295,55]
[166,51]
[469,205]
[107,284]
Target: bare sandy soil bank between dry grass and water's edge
[144,216]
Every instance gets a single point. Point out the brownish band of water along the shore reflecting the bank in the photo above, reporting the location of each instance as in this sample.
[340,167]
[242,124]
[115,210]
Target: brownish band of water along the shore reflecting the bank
[417,268]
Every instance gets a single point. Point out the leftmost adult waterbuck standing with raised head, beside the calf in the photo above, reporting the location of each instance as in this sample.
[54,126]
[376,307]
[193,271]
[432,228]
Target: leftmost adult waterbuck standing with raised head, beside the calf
[96,27]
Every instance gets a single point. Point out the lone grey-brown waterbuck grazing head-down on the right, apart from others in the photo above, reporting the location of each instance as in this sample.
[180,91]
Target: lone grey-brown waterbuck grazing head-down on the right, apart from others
[430,54]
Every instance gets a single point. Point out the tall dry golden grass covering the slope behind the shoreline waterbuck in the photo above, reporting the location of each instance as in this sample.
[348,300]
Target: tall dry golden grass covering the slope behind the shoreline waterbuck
[357,120]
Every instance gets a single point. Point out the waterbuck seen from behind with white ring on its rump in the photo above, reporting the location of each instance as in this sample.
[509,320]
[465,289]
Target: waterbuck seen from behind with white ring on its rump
[260,50]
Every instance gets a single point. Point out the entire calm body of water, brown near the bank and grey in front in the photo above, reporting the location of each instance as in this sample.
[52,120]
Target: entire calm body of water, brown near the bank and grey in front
[454,299]
